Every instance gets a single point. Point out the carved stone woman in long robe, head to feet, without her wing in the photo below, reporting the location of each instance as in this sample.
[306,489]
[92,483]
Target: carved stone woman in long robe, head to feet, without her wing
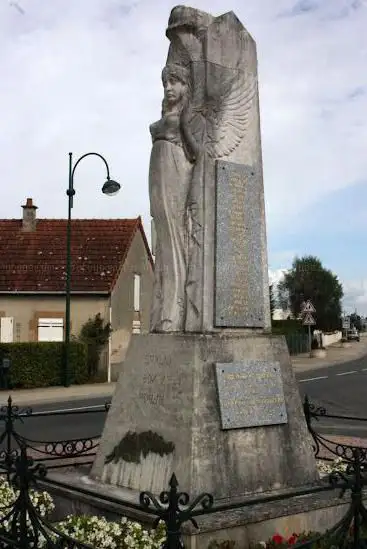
[170,174]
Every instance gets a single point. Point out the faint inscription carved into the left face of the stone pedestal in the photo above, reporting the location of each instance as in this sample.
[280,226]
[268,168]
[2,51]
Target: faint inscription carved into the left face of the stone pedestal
[157,387]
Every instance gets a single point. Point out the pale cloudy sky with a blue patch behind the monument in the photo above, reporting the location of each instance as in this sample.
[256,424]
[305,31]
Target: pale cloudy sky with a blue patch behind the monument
[84,75]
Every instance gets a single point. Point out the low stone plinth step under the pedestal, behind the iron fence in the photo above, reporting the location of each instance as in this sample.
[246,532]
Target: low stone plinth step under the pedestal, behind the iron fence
[255,521]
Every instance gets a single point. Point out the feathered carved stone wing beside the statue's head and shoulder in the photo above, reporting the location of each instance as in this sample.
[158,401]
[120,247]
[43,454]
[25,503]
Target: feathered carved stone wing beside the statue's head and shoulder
[221,122]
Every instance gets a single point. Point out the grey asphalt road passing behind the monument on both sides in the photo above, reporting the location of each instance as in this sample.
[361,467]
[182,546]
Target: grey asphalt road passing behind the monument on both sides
[341,389]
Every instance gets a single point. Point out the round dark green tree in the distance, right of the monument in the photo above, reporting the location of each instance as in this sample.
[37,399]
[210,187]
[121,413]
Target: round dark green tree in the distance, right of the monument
[308,279]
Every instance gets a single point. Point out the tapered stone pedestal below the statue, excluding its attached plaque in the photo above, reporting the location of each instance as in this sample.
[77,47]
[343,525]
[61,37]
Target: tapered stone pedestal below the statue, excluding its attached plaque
[165,418]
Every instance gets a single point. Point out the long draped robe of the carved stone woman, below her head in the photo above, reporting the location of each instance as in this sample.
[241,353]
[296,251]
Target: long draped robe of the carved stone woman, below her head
[170,175]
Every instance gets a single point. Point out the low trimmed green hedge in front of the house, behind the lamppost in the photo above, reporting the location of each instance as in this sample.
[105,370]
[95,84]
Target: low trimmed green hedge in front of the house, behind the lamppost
[39,364]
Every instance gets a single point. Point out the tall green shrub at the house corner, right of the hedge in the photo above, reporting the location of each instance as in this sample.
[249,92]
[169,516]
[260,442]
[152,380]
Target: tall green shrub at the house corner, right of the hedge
[94,334]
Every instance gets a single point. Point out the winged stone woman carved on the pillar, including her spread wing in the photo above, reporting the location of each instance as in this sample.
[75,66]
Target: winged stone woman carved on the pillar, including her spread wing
[200,123]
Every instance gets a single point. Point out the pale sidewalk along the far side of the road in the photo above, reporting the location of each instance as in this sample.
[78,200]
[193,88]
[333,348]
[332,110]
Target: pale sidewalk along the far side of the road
[301,363]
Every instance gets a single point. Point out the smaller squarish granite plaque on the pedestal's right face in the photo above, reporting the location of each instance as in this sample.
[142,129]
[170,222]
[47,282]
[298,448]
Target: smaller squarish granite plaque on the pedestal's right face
[250,394]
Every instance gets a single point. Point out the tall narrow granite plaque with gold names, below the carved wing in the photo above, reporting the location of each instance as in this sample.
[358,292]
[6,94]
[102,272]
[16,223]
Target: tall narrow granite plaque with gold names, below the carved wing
[239,285]
